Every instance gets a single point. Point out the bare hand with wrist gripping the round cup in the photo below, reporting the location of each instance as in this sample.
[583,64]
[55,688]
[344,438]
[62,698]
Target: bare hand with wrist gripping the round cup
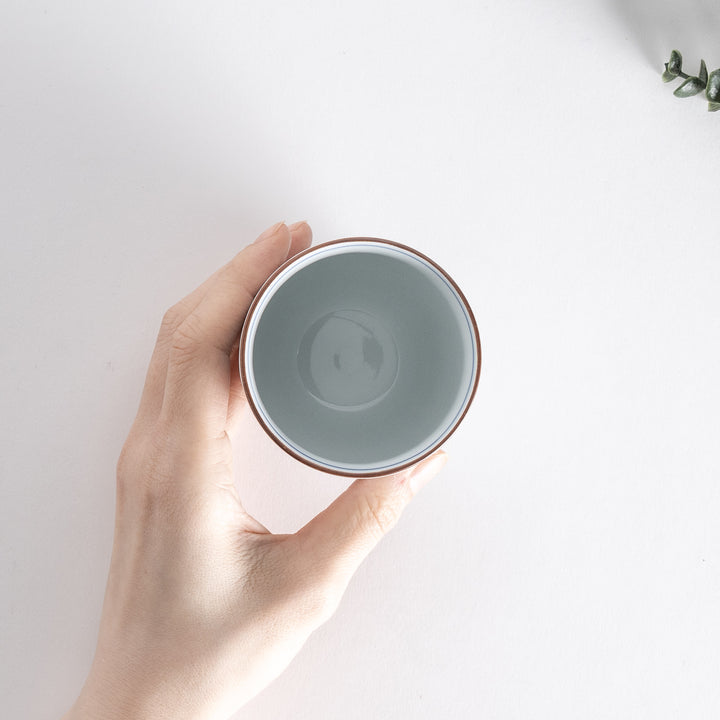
[203,606]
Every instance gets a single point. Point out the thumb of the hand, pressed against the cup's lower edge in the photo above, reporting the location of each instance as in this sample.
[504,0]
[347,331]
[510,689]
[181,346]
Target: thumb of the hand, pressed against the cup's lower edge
[341,537]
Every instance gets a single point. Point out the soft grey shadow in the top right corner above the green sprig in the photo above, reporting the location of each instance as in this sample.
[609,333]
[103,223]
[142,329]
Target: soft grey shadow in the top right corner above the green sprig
[690,26]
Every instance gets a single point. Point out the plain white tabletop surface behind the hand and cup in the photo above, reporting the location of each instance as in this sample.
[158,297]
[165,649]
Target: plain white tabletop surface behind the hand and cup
[566,563]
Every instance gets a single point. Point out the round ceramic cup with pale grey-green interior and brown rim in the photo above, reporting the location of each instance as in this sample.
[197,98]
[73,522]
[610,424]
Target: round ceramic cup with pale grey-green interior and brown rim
[359,357]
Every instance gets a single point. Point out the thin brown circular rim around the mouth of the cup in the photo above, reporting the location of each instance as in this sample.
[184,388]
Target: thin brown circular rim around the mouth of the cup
[243,375]
